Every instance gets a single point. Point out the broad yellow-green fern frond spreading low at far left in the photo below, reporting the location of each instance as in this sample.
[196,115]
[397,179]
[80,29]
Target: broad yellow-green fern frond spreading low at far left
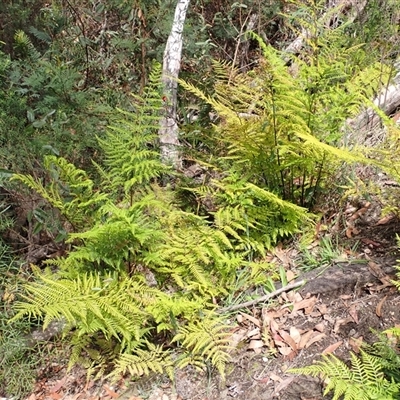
[91,303]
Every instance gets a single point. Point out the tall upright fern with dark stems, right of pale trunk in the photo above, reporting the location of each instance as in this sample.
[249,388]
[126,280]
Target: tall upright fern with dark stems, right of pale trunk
[281,129]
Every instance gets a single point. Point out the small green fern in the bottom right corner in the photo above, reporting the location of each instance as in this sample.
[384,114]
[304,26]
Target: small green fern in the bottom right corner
[365,379]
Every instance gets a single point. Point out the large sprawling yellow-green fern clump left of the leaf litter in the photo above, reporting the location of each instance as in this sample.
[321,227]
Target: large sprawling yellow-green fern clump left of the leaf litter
[141,267]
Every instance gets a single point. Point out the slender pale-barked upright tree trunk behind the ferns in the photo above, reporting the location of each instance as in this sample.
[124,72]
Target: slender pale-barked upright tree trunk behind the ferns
[169,131]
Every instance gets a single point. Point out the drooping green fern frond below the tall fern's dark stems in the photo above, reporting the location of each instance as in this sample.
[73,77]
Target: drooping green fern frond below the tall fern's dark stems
[252,218]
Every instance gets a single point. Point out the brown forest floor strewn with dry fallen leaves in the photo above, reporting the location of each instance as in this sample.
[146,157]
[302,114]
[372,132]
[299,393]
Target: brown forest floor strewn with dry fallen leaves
[333,312]
